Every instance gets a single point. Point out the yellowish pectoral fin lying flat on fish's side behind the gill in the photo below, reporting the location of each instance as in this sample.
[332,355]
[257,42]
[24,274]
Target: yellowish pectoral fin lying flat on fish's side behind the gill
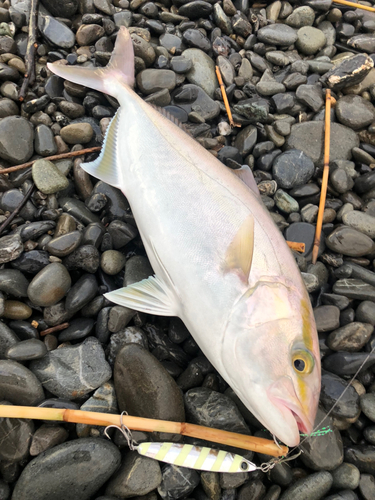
[240,252]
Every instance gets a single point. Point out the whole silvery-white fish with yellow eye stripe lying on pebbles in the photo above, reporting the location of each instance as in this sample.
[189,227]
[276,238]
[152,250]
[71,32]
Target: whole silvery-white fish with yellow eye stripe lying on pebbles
[219,261]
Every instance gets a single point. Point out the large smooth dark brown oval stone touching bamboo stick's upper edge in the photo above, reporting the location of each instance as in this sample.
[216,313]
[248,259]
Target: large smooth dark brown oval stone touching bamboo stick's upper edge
[143,386]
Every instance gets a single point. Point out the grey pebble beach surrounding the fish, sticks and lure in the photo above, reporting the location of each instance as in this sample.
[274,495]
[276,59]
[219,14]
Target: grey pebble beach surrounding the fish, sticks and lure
[64,345]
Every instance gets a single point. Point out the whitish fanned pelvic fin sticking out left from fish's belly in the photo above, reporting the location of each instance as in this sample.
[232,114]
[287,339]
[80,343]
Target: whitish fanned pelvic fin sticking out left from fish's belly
[151,296]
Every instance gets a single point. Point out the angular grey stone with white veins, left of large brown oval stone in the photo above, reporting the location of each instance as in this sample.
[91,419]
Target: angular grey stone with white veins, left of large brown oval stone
[73,371]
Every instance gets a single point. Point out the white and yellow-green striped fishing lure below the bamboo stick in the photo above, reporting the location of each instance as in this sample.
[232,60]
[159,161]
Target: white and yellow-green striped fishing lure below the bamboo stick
[196,457]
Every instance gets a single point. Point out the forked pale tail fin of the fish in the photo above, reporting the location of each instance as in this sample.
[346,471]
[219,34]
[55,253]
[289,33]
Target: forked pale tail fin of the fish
[119,71]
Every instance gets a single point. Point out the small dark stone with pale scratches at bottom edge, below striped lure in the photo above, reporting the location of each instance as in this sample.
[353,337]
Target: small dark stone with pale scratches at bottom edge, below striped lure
[177,482]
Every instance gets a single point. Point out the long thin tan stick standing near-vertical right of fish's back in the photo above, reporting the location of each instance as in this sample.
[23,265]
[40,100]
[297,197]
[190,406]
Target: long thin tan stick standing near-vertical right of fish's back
[323,190]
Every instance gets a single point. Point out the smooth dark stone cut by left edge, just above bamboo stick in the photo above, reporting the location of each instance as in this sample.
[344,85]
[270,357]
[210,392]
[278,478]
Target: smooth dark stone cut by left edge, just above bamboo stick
[19,385]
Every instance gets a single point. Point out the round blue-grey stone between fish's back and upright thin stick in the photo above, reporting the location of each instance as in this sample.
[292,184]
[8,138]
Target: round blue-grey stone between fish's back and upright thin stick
[292,168]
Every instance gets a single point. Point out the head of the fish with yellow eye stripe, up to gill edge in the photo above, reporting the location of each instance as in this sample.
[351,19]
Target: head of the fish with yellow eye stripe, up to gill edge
[270,354]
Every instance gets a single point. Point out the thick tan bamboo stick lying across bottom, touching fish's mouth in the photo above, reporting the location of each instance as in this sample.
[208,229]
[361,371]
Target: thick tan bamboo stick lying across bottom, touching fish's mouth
[259,445]
